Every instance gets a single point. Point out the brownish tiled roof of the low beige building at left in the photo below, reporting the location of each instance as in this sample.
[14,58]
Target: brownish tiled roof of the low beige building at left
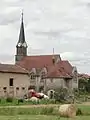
[9,68]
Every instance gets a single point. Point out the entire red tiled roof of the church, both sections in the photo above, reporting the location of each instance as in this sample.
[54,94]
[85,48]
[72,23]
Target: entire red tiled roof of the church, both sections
[59,69]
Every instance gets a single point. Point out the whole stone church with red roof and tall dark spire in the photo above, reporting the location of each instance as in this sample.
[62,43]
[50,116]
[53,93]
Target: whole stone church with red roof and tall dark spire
[46,71]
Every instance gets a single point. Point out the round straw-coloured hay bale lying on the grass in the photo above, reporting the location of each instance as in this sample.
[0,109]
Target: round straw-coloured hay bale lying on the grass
[67,110]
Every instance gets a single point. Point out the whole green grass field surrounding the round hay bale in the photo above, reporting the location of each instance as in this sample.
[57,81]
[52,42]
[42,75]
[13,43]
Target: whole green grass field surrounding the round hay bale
[39,112]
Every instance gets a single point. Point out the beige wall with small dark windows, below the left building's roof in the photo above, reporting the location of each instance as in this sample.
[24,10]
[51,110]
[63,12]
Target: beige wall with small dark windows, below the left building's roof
[19,80]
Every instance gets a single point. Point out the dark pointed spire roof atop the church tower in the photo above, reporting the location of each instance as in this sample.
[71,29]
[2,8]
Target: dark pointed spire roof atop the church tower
[22,35]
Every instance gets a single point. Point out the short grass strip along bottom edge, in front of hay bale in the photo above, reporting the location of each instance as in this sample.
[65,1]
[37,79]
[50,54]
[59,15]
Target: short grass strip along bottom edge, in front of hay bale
[41,117]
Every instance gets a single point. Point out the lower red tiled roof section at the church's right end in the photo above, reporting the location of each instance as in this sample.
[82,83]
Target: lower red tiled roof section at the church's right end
[61,69]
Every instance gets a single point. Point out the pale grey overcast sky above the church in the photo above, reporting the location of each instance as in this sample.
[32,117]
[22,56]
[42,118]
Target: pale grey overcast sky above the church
[60,24]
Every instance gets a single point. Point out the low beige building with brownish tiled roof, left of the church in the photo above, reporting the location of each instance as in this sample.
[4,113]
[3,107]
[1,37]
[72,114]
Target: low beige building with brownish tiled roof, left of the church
[14,80]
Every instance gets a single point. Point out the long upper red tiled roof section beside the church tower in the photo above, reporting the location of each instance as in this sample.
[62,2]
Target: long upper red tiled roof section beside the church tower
[41,61]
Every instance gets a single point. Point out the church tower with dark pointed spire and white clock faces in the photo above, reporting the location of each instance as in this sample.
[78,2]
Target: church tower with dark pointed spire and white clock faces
[21,47]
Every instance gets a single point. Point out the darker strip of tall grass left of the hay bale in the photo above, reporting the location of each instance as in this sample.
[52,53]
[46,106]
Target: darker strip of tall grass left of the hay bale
[28,111]
